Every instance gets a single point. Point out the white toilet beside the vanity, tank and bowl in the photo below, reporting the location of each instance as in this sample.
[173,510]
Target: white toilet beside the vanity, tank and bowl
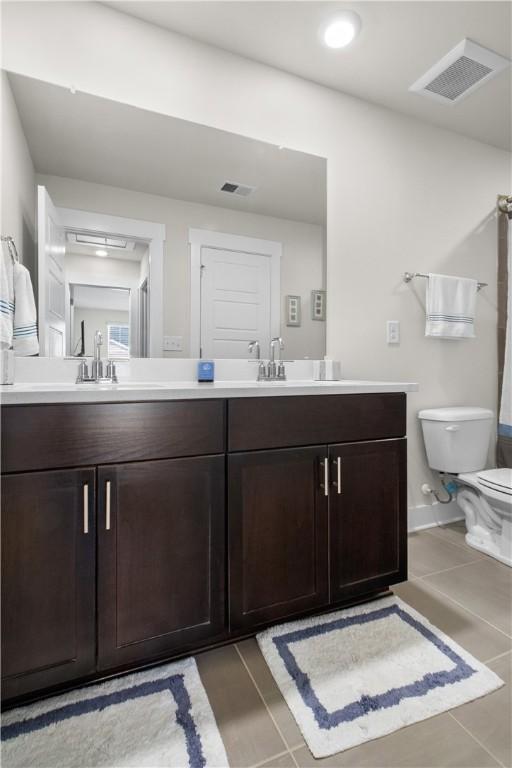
[456,440]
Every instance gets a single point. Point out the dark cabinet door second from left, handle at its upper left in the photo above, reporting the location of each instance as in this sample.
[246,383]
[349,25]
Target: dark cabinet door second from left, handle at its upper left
[160,557]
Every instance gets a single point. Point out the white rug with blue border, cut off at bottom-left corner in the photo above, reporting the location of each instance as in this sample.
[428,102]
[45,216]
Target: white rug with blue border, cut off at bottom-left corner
[160,717]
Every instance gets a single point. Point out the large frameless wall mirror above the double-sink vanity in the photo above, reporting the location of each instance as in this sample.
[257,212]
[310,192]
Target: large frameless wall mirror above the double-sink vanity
[173,239]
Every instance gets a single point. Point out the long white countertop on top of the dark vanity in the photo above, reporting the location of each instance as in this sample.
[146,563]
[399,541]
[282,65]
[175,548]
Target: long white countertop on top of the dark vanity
[130,391]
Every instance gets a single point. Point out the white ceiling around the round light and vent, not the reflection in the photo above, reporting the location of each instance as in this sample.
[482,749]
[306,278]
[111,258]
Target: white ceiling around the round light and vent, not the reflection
[398,43]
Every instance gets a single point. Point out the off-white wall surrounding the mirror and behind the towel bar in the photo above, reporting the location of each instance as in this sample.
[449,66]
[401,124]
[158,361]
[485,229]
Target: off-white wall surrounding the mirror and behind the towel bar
[402,195]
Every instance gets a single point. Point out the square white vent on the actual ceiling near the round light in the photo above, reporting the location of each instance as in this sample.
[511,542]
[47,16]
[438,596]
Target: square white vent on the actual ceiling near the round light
[464,69]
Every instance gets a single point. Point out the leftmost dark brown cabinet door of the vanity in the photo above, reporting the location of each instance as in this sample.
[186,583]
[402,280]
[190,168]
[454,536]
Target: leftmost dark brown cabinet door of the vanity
[48,579]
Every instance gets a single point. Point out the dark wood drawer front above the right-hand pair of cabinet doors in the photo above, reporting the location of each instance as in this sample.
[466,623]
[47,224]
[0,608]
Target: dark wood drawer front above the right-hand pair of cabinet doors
[280,422]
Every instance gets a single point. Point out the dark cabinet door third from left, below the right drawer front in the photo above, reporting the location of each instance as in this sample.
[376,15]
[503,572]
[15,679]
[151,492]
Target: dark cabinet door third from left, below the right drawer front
[277,535]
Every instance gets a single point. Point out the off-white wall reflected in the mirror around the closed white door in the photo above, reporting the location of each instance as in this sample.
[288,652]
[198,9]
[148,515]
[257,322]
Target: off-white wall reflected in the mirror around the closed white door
[302,263]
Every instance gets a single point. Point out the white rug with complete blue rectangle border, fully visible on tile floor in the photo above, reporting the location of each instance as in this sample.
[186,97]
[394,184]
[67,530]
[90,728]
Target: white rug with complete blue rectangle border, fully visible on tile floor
[364,672]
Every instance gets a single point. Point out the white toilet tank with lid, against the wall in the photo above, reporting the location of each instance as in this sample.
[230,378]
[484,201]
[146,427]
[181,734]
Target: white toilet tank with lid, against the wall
[456,439]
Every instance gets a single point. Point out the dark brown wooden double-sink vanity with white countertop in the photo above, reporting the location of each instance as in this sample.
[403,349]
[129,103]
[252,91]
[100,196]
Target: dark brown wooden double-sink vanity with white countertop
[138,531]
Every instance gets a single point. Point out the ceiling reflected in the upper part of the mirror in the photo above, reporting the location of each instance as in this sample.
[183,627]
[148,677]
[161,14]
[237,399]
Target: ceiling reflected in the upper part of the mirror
[84,137]
